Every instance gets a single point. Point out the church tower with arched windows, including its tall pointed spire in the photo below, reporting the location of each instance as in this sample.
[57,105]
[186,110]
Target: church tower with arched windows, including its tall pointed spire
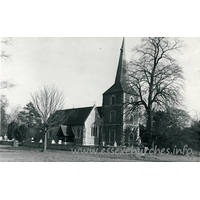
[117,121]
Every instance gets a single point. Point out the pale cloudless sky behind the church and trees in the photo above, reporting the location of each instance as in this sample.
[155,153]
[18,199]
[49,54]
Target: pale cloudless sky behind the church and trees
[83,68]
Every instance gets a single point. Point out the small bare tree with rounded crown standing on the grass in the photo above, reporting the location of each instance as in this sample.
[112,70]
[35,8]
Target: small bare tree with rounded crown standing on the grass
[47,101]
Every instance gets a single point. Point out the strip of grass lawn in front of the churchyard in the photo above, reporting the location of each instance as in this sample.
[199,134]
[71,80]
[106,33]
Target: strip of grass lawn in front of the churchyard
[27,154]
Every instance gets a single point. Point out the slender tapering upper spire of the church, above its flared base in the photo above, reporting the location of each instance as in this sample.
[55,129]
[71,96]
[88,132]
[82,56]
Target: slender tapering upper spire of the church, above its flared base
[121,70]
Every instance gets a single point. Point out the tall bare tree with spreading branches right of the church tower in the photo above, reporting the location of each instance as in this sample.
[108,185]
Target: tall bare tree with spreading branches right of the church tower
[156,77]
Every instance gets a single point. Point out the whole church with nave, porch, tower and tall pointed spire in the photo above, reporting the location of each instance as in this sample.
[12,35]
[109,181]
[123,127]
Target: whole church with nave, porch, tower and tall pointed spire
[112,124]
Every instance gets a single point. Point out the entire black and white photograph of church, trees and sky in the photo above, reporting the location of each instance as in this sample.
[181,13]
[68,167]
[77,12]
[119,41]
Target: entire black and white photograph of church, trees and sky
[100,99]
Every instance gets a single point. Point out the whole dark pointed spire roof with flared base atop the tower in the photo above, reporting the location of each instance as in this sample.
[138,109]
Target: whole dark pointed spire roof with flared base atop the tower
[119,85]
